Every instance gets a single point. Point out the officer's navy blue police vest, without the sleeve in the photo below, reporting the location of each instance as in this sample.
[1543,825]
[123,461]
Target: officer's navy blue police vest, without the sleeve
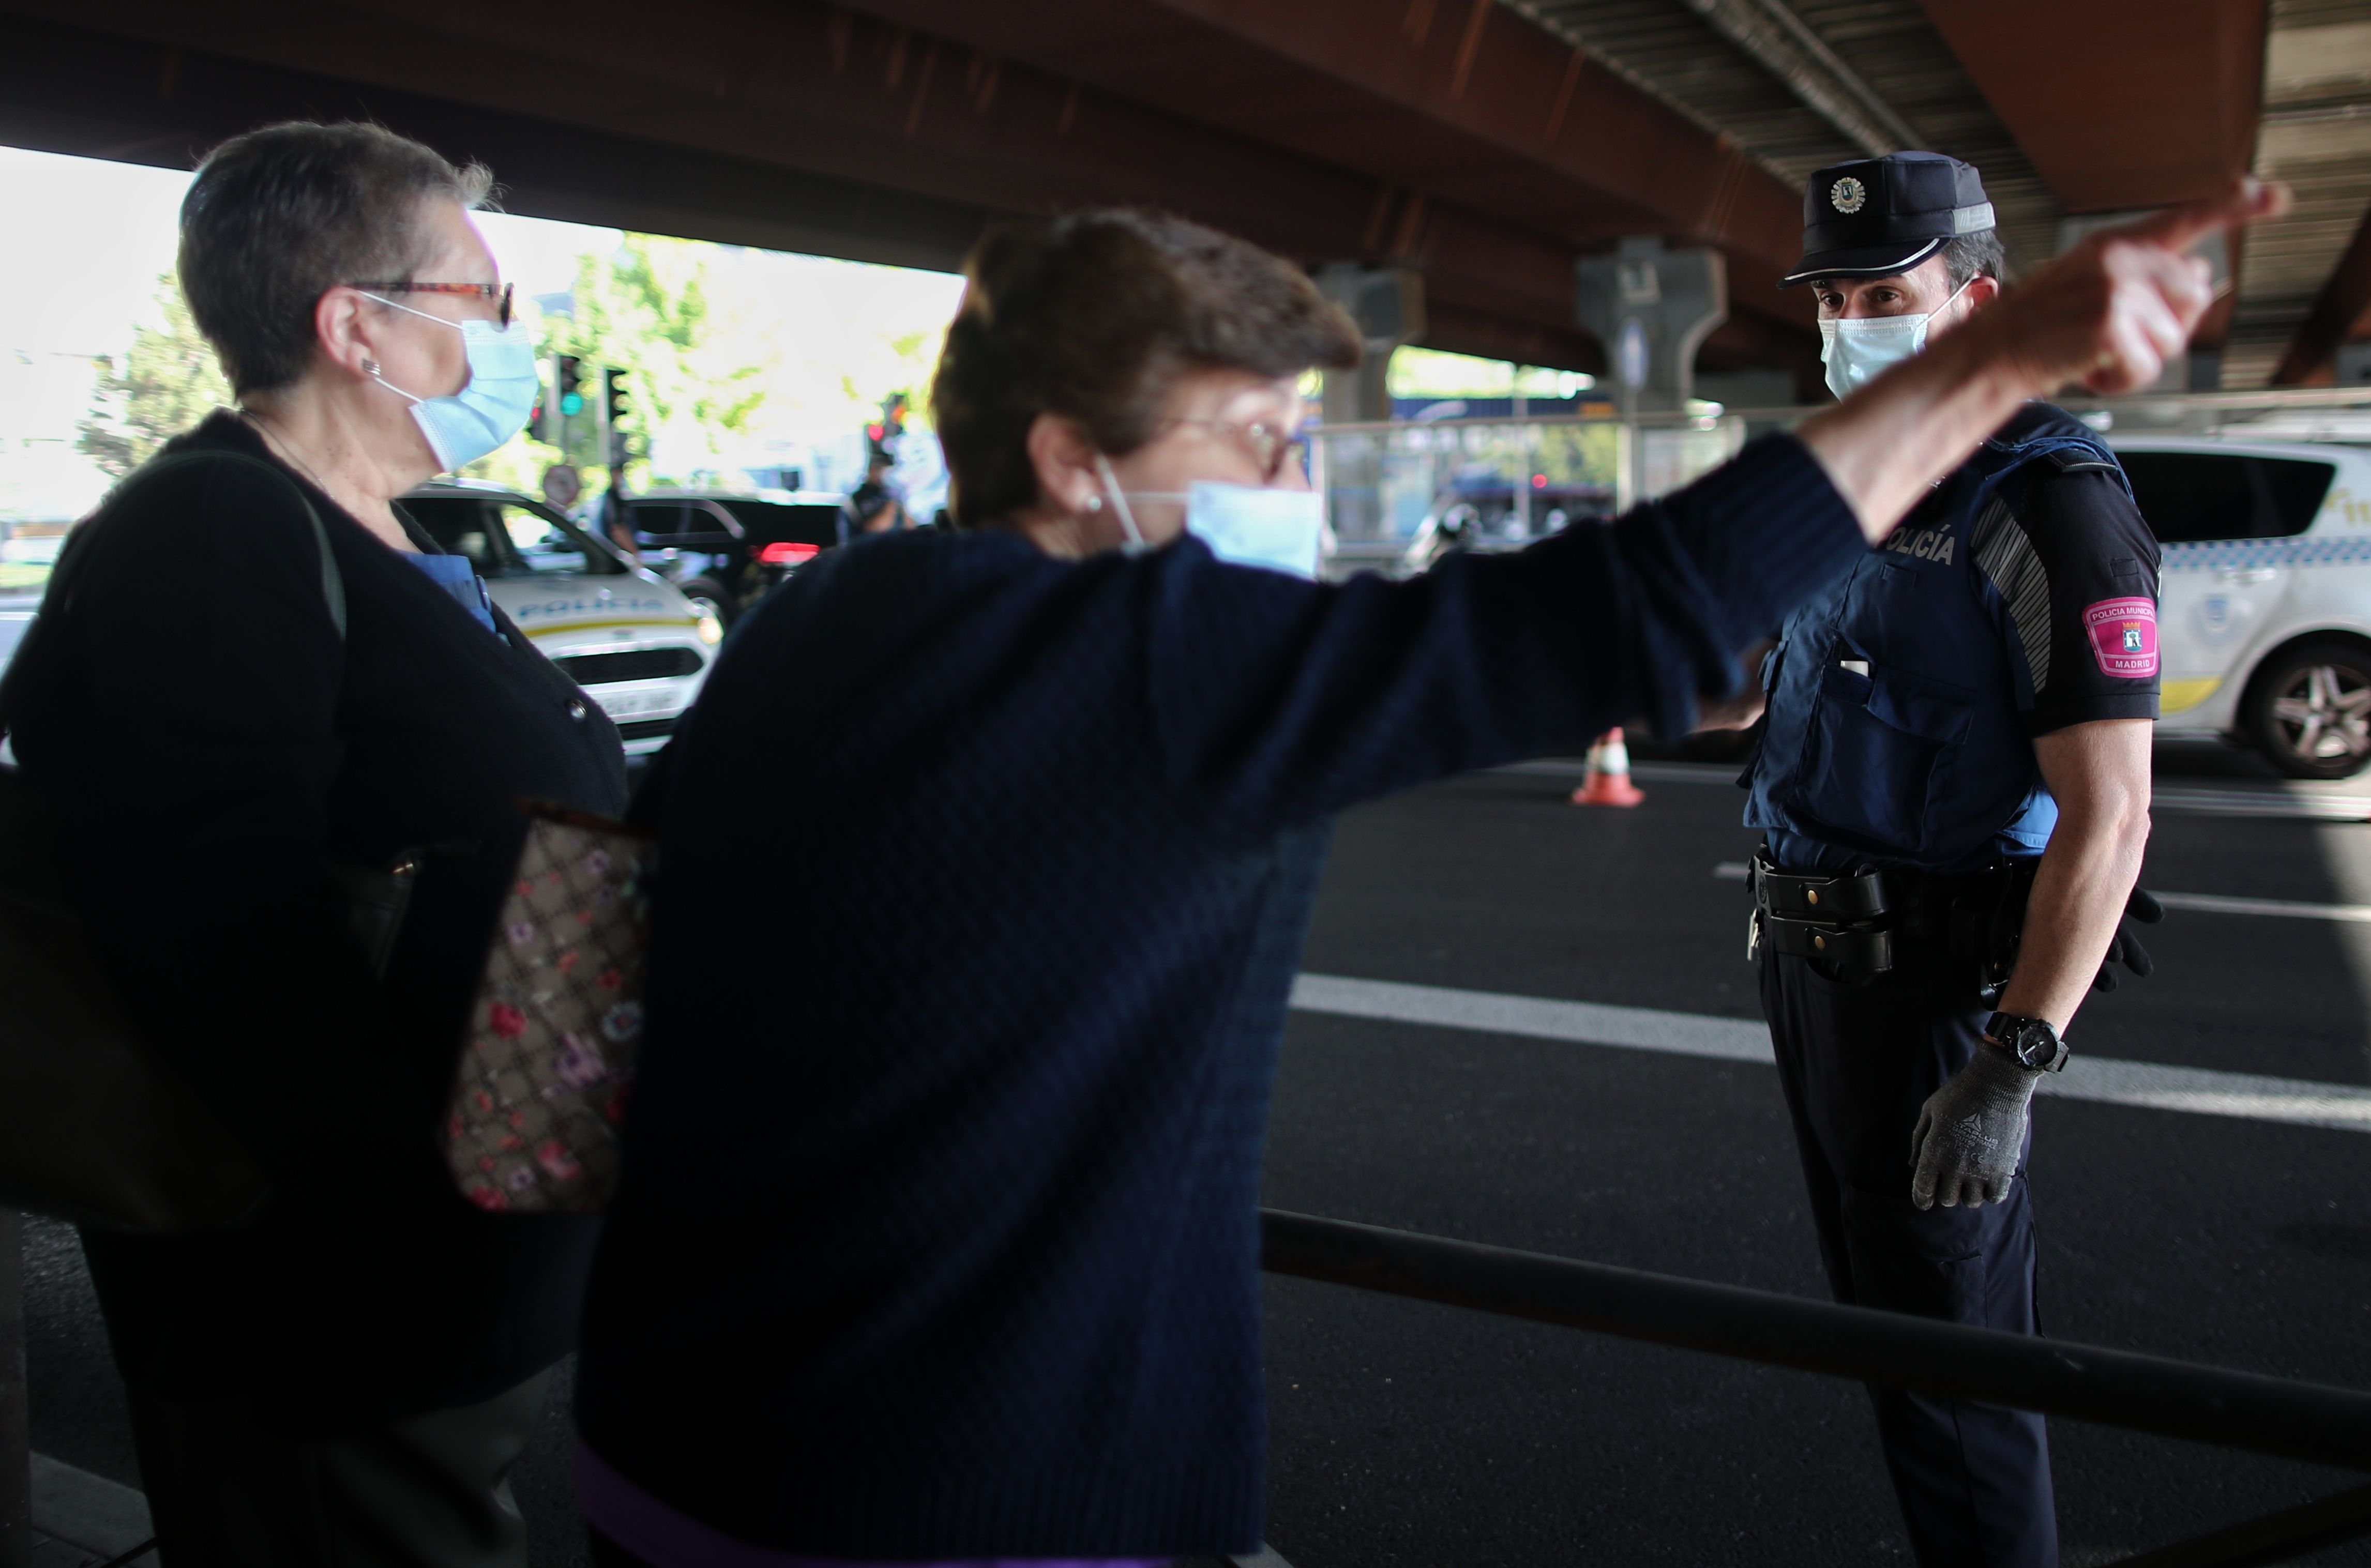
[1896,733]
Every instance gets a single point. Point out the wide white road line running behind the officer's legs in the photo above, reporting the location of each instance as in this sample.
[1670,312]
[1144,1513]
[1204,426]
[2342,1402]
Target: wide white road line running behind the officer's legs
[1647,1029]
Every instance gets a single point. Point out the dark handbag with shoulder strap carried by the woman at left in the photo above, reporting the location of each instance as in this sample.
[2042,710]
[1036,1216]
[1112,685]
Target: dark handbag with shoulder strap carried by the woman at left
[94,1126]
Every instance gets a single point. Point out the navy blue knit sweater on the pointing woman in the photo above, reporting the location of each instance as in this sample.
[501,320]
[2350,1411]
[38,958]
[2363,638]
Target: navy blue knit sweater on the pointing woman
[985,885]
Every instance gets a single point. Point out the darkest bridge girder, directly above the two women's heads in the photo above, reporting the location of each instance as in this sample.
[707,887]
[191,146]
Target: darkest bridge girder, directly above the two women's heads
[736,113]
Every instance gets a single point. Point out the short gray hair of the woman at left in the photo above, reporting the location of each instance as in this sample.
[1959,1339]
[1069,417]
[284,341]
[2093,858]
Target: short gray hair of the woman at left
[283,214]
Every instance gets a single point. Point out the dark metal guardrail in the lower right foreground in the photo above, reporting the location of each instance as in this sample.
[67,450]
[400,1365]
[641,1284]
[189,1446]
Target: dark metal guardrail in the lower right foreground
[2149,1394]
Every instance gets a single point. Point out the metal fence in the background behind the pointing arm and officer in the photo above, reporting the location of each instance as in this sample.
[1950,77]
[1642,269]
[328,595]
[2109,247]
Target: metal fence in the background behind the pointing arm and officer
[1405,491]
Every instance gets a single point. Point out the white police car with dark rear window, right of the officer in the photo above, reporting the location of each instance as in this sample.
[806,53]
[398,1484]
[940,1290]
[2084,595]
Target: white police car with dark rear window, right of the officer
[2265,608]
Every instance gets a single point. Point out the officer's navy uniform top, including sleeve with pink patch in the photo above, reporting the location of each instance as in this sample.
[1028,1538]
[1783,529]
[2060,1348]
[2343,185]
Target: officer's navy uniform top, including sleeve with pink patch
[2021,598]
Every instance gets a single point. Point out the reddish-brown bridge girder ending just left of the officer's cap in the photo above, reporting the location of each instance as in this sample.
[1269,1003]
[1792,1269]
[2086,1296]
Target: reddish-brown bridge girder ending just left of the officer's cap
[1459,101]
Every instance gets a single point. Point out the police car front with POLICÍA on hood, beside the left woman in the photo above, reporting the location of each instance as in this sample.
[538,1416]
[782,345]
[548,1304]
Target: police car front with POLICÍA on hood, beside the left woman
[637,645]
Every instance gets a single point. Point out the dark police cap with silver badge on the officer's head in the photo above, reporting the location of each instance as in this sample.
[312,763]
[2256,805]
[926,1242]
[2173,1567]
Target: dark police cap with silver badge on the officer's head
[1884,217]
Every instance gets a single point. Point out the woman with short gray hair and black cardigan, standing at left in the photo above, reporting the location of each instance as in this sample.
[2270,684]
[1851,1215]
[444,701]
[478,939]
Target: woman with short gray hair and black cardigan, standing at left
[222,714]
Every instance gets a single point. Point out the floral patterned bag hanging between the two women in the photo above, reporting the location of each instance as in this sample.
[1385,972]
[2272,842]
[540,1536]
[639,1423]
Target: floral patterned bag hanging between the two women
[558,1022]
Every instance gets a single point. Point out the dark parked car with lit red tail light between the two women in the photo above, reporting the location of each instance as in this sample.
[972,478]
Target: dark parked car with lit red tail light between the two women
[729,548]
